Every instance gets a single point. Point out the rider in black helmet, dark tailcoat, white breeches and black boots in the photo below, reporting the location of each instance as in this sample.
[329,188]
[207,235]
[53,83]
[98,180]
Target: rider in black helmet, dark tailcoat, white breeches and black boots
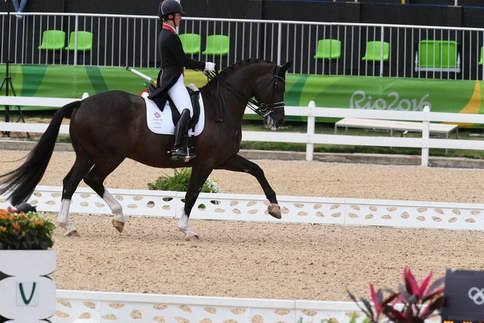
[171,78]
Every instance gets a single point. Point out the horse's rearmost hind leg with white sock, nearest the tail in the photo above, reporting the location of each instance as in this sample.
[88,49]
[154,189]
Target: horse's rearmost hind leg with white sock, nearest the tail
[81,166]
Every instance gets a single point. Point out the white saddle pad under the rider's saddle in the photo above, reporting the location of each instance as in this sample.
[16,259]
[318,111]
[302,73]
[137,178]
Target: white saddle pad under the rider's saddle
[162,123]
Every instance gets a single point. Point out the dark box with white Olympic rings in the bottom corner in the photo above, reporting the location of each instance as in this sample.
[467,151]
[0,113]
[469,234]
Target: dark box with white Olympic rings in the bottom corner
[463,296]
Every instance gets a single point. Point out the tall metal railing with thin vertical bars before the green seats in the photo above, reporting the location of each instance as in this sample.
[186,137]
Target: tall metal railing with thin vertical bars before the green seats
[128,40]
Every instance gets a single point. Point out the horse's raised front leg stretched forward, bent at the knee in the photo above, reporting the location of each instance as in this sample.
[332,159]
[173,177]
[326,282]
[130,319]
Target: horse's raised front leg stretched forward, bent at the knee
[238,163]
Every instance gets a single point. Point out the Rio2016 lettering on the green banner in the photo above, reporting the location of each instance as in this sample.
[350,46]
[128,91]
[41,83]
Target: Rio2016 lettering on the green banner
[360,100]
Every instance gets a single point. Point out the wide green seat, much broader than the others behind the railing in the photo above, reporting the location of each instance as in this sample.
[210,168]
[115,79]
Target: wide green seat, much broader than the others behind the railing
[438,56]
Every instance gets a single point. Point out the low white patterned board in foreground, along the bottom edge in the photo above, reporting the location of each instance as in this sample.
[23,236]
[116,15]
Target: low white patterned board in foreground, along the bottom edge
[122,307]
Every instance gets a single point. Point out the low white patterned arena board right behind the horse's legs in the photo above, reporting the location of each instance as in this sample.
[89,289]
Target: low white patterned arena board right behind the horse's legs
[295,209]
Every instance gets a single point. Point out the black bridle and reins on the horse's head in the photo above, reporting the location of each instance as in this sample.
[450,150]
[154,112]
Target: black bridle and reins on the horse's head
[261,108]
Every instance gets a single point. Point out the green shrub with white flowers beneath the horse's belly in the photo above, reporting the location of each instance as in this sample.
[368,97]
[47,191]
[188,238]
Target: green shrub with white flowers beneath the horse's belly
[179,182]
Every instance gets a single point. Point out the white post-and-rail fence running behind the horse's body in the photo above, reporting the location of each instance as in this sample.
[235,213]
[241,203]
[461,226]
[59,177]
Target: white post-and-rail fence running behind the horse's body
[310,138]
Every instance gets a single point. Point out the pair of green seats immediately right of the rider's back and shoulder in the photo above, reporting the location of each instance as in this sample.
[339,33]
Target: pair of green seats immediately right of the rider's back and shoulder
[216,44]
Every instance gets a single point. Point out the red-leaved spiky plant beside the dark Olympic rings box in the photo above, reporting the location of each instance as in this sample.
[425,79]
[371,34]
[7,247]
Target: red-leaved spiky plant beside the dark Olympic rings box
[413,303]
